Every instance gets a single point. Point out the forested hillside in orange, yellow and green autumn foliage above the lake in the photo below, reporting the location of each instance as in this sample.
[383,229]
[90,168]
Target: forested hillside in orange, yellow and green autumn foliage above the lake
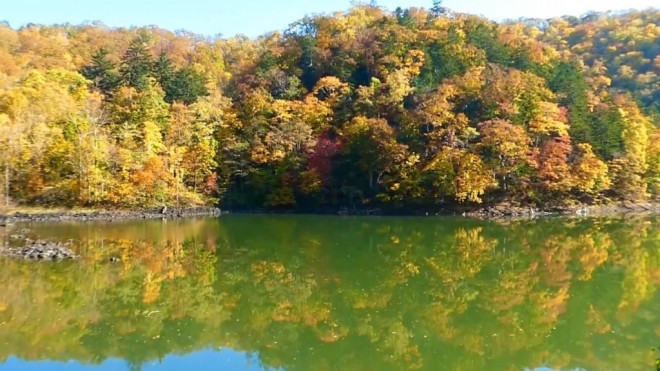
[367,107]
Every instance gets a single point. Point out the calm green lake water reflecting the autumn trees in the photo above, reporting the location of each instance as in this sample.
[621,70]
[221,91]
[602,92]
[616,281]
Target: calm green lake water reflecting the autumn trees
[329,293]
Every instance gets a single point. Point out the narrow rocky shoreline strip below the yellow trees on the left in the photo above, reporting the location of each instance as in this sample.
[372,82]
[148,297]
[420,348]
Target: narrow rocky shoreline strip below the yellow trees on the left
[108,215]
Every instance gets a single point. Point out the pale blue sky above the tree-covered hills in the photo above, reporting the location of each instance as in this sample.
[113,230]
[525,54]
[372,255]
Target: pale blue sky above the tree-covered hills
[256,17]
